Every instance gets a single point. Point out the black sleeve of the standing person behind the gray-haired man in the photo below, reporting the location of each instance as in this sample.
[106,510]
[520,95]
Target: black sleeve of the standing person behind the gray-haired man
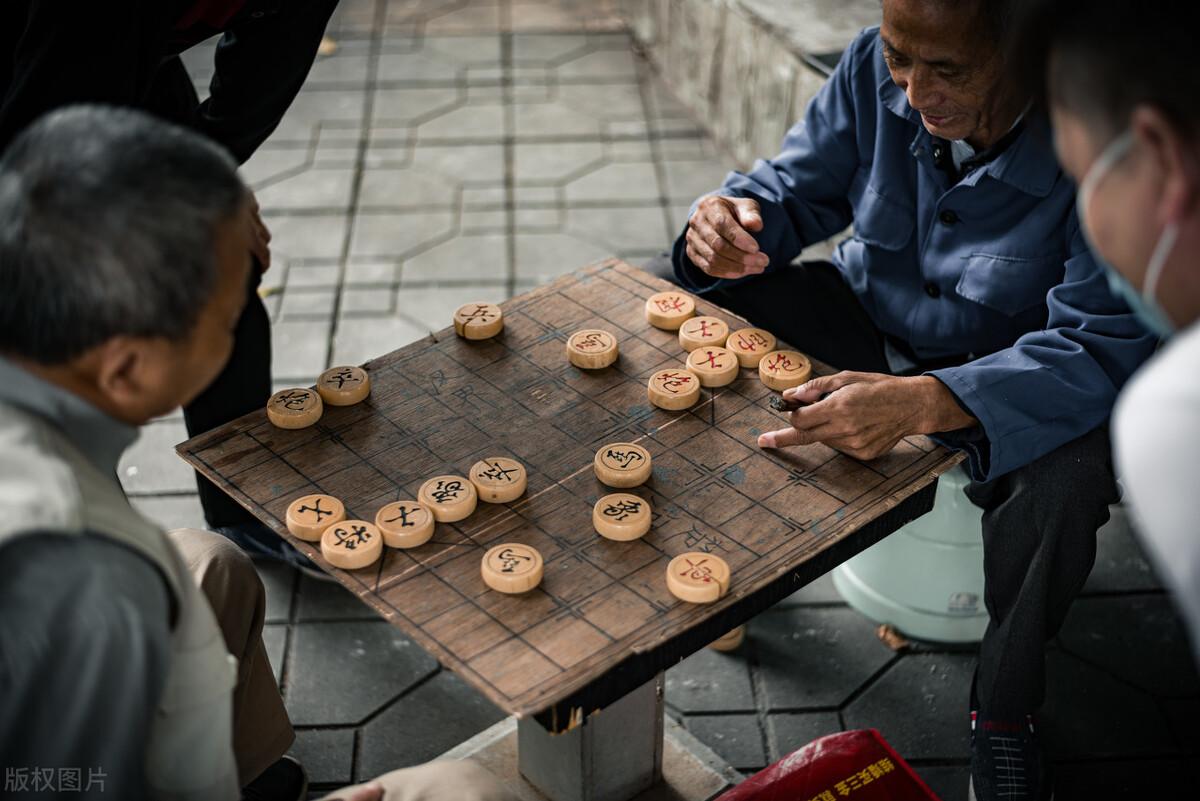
[261,67]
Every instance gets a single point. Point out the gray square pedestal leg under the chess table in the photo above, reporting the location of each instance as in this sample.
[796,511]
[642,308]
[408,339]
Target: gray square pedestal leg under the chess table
[615,755]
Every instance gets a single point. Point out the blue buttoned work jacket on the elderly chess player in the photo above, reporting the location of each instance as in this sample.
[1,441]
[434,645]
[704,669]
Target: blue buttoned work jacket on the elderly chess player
[994,266]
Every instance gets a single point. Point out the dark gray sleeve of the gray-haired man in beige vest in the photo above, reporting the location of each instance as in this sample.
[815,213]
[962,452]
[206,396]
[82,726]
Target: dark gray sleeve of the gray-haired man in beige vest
[85,651]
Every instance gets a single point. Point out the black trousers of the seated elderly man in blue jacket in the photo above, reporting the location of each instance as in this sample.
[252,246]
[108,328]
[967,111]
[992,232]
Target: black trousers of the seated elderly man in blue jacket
[1040,521]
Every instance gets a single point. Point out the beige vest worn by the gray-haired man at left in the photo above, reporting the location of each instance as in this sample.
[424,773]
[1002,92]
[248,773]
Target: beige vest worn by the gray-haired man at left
[47,485]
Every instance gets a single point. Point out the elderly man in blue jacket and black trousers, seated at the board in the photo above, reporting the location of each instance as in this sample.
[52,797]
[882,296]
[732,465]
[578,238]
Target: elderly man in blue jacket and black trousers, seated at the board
[965,306]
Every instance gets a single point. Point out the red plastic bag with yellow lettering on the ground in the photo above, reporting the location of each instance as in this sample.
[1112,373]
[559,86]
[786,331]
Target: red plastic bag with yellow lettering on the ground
[854,766]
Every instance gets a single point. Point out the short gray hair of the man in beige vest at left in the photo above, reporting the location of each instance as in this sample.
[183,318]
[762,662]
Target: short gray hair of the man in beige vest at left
[107,228]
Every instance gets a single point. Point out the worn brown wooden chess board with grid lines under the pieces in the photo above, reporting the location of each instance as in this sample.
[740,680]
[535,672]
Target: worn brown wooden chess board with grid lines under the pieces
[603,622]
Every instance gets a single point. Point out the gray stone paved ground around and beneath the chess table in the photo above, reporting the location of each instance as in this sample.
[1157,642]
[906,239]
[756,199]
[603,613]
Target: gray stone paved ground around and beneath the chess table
[457,150]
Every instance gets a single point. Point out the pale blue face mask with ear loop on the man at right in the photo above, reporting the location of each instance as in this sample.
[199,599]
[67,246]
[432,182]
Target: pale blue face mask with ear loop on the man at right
[1143,304]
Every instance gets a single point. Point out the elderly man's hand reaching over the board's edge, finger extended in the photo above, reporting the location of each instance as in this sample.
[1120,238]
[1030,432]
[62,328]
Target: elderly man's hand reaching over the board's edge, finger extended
[866,414]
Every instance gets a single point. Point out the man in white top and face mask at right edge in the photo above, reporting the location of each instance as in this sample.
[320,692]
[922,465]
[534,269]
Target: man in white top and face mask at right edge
[1125,100]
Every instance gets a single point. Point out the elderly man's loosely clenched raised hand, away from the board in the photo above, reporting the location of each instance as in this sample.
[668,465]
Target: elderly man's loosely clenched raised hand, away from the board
[719,240]
